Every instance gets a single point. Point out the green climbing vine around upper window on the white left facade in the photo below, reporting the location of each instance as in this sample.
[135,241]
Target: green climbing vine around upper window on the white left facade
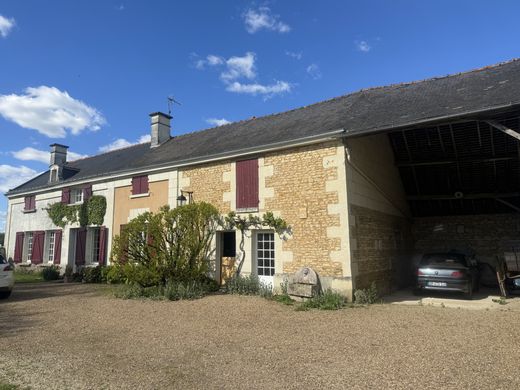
[90,212]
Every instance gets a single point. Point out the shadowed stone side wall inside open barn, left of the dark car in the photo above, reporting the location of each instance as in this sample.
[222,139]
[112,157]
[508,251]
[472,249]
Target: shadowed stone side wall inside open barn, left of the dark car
[380,221]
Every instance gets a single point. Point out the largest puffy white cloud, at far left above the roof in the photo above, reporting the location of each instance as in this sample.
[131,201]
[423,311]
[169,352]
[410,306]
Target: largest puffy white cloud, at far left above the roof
[50,112]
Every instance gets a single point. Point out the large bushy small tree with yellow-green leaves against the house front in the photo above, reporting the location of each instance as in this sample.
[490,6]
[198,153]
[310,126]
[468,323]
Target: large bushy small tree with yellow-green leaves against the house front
[171,244]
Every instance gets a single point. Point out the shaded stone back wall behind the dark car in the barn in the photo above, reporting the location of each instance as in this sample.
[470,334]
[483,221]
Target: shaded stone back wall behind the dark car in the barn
[488,236]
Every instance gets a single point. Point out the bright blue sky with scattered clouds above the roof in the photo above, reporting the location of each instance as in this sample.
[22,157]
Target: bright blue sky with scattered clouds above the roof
[88,73]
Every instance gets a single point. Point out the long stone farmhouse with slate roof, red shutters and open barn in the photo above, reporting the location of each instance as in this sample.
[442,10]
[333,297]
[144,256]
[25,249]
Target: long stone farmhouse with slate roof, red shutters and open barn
[365,180]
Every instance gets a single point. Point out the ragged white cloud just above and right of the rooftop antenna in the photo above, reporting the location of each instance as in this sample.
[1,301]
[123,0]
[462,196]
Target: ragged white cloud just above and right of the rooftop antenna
[237,68]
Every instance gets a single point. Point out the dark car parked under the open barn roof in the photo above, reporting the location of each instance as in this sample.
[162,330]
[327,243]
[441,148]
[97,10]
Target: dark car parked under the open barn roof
[448,271]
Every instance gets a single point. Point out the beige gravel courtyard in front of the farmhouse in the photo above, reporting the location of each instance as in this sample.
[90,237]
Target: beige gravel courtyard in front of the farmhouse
[56,336]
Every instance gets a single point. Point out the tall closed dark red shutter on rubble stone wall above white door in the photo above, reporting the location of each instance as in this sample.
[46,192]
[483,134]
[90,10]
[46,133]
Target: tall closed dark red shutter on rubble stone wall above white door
[247,184]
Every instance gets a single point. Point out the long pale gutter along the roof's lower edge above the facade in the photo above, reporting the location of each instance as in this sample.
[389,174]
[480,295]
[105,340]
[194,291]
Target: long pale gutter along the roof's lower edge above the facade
[314,139]
